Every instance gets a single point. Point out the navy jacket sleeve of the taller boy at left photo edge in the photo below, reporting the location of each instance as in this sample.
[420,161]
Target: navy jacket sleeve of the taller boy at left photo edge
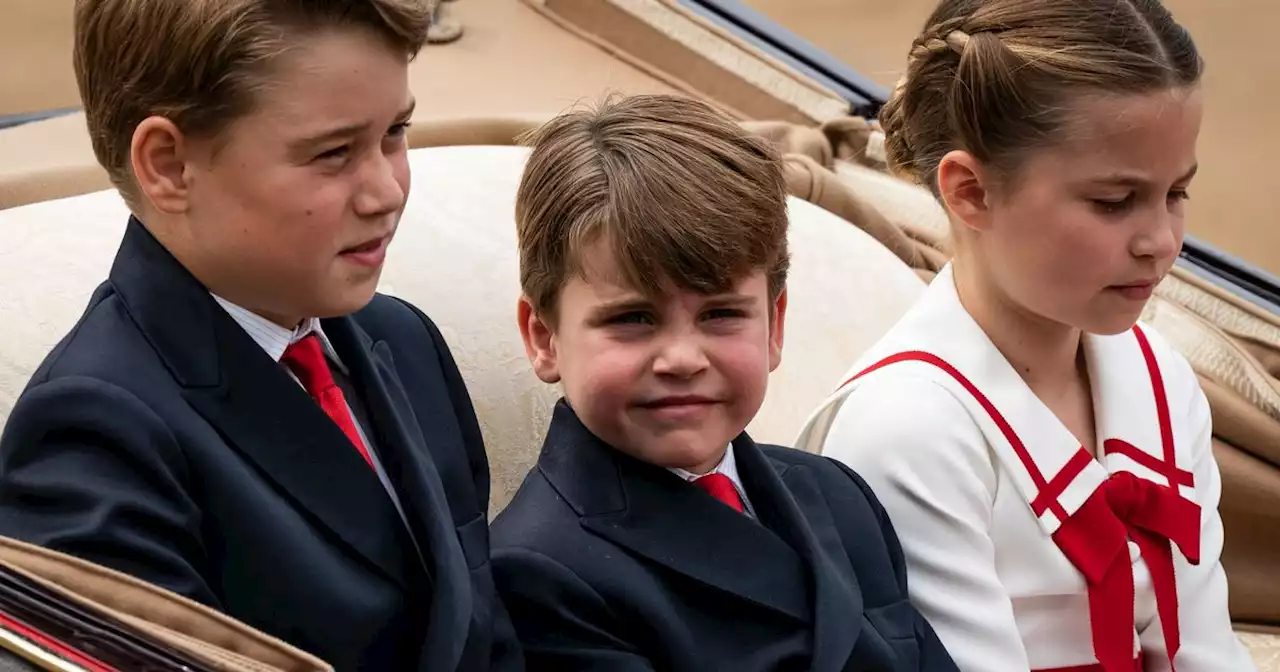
[89,470]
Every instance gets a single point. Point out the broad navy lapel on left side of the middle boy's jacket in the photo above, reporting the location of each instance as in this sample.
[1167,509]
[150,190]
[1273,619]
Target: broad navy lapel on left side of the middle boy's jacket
[657,515]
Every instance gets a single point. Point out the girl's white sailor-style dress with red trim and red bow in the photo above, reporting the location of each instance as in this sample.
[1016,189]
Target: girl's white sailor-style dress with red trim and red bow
[1023,551]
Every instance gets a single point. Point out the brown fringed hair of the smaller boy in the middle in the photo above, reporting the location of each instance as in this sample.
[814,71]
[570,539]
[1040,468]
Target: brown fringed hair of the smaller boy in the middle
[679,193]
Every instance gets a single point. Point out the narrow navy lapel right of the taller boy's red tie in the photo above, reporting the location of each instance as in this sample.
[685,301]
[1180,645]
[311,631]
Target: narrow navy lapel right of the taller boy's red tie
[406,459]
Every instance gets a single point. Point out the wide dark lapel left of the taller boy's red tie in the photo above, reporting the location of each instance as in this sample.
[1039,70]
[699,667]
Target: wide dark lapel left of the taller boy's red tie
[255,406]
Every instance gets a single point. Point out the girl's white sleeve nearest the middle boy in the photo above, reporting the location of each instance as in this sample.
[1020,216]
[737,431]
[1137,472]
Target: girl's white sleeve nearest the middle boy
[930,468]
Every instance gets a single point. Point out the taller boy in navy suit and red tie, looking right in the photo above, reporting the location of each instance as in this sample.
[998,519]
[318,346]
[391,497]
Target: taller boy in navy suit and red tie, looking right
[239,418]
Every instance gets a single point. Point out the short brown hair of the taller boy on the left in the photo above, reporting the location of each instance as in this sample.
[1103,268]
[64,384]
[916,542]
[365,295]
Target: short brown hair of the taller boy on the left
[200,62]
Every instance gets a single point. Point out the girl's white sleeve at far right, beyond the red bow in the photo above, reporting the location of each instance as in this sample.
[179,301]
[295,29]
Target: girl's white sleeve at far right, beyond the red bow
[1205,623]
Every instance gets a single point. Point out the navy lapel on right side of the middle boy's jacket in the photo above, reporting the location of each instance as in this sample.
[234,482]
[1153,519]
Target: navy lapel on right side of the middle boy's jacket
[789,501]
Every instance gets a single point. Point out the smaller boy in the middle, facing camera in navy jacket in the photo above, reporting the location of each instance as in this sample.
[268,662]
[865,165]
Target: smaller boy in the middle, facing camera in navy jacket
[655,534]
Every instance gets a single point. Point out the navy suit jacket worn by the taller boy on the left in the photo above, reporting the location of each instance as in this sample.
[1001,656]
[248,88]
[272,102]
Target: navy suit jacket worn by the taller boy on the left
[159,440]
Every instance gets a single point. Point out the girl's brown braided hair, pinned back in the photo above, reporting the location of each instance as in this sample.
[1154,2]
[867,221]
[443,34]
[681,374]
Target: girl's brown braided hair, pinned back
[995,77]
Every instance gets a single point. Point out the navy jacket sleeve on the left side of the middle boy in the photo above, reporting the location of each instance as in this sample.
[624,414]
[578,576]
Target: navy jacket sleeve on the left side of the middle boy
[563,623]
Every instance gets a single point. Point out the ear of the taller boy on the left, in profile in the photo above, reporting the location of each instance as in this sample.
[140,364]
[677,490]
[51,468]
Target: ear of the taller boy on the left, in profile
[159,154]
